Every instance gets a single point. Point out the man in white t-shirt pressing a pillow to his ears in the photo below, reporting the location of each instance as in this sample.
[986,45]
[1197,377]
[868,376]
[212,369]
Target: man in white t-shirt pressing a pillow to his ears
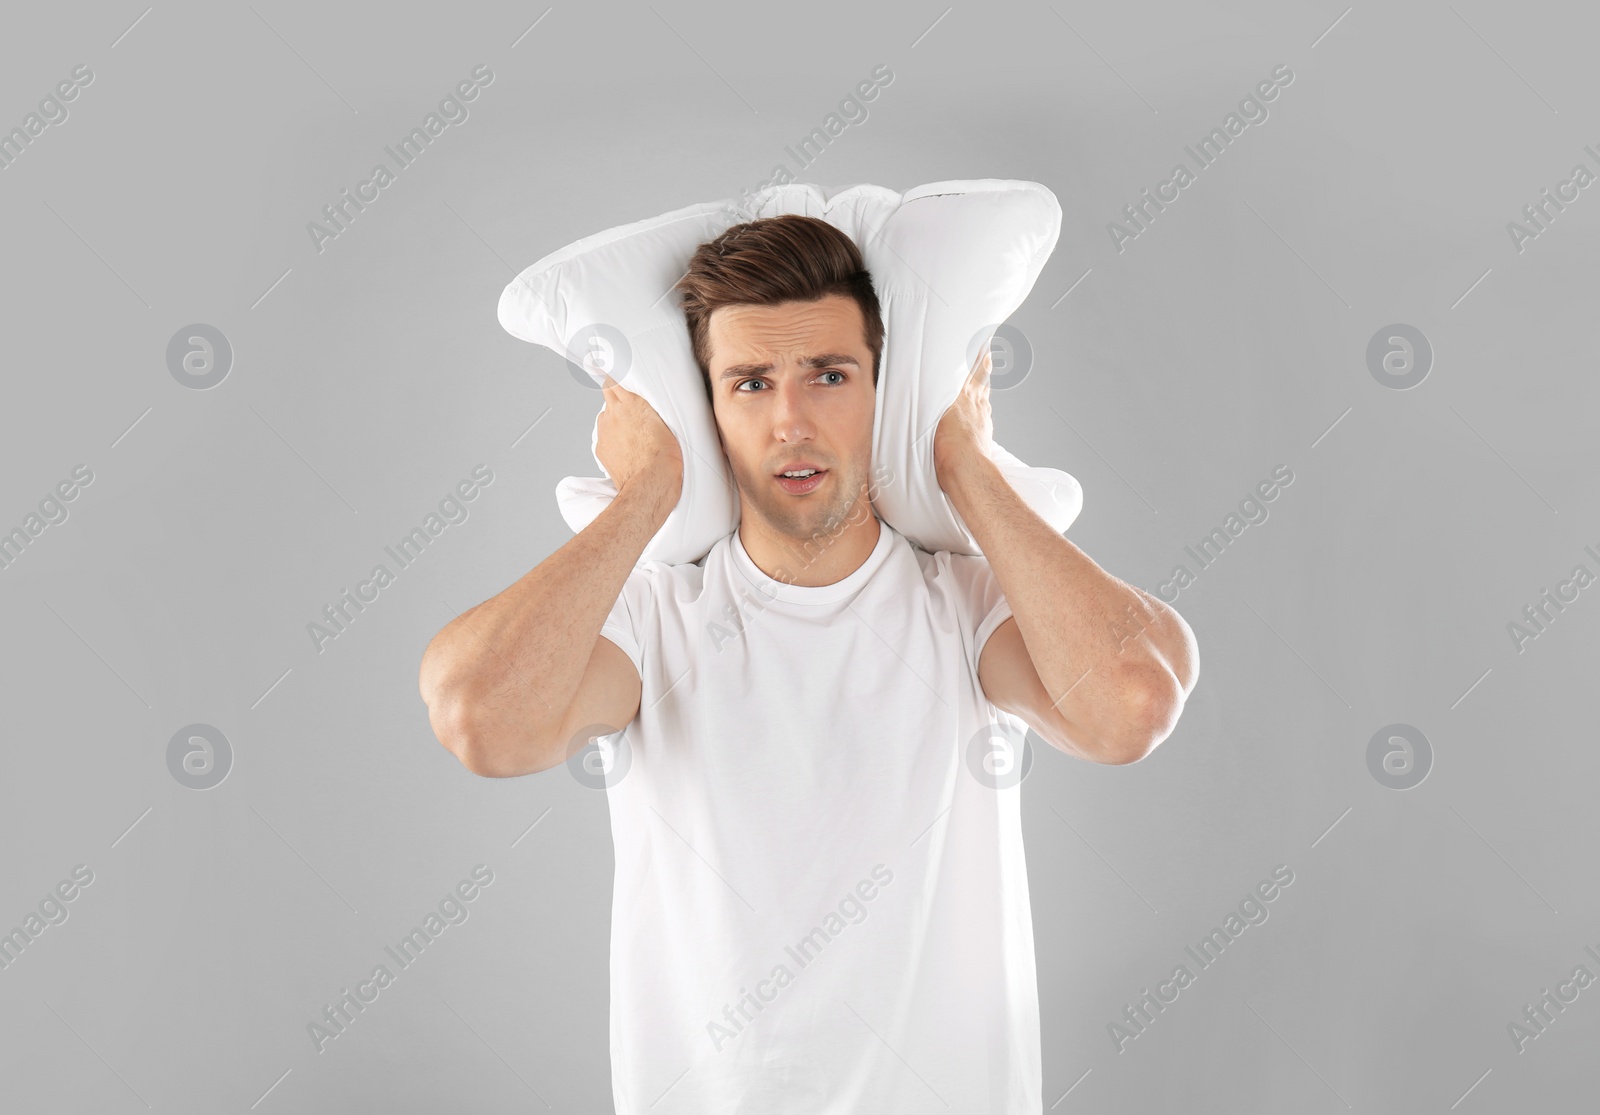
[822,898]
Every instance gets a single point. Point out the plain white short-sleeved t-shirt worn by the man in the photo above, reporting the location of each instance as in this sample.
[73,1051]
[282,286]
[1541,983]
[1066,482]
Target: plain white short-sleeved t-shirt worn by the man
[822,900]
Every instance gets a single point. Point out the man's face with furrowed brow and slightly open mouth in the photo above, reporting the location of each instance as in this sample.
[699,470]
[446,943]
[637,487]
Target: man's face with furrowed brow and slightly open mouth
[793,388]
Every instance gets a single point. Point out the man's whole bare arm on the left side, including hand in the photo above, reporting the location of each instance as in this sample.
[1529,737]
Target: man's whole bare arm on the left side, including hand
[508,682]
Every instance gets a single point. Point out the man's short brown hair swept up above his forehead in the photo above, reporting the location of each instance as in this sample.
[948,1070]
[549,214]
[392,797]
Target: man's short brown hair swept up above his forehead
[788,258]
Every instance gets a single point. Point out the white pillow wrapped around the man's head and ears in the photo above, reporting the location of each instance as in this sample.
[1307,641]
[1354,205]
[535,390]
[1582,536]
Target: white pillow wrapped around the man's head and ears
[950,262]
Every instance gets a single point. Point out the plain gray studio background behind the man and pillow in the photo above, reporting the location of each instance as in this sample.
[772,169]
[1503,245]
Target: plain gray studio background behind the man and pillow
[1228,340]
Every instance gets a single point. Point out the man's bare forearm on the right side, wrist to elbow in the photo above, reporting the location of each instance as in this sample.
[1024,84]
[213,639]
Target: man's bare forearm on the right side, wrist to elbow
[1103,650]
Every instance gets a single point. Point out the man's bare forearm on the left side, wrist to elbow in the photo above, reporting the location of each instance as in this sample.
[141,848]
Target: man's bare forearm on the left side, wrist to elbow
[511,666]
